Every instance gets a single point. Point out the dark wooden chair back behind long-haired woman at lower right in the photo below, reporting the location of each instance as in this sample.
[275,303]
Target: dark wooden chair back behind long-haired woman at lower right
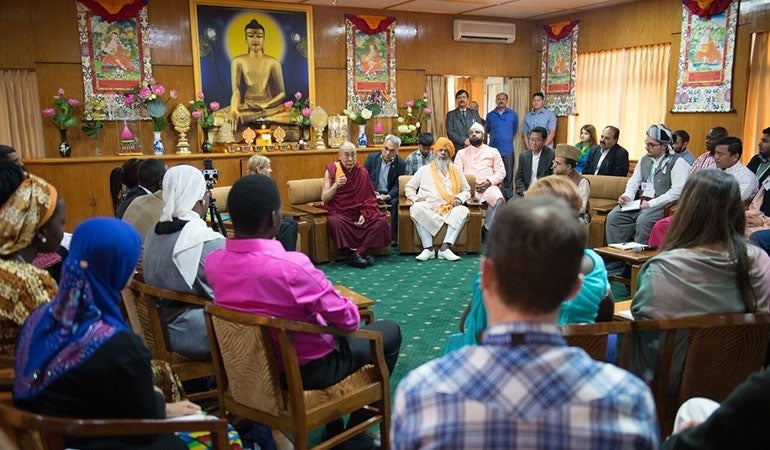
[722,351]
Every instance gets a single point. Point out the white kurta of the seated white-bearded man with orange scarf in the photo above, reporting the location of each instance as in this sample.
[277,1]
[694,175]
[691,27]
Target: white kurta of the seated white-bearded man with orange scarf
[422,191]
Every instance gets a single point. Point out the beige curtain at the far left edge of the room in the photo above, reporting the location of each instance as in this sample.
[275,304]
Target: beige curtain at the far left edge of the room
[21,124]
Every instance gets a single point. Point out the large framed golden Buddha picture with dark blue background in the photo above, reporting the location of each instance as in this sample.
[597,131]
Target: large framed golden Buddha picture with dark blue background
[252,58]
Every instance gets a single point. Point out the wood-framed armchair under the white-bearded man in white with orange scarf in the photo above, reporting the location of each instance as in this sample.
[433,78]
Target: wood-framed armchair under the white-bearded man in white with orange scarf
[468,241]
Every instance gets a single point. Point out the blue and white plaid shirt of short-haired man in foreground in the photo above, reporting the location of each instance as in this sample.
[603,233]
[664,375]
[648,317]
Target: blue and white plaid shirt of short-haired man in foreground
[538,396]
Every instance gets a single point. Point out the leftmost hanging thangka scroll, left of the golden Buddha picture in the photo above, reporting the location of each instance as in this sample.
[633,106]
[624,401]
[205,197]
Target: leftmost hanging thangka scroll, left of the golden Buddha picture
[115,58]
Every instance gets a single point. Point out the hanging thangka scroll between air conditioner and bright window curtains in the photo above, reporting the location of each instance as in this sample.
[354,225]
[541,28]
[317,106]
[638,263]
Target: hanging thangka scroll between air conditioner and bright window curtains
[560,66]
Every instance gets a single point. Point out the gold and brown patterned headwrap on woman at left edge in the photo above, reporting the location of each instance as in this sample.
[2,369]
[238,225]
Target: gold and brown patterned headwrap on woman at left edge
[25,211]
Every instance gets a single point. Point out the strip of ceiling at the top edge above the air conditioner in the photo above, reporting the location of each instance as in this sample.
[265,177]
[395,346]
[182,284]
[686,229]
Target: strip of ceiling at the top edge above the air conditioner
[504,9]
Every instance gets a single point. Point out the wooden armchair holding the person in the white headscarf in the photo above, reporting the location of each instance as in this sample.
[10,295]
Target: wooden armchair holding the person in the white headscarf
[140,301]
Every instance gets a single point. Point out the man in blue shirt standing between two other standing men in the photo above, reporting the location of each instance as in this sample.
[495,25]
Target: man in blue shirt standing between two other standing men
[501,126]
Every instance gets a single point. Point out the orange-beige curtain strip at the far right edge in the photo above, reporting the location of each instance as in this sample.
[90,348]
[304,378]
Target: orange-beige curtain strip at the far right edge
[757,115]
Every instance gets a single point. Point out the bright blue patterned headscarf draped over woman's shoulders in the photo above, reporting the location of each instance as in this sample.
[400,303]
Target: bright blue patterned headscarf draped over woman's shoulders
[85,313]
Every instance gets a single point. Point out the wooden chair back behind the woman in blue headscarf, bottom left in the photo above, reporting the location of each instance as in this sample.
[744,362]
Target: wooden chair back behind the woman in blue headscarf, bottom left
[23,430]
